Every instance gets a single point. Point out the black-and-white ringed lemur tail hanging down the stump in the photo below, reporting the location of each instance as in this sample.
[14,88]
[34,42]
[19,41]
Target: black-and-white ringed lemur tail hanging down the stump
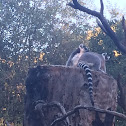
[89,76]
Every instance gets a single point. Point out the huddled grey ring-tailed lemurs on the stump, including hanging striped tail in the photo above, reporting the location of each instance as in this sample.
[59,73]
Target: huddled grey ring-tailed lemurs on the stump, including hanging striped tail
[88,60]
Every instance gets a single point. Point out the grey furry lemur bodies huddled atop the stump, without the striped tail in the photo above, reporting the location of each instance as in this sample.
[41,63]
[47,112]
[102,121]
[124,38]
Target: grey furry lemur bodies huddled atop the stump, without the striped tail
[94,60]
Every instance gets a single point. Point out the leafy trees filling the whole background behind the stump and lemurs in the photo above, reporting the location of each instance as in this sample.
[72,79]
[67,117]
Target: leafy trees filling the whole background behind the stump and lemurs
[42,32]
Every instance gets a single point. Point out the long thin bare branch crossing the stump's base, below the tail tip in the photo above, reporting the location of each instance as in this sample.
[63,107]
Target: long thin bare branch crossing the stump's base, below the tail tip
[77,108]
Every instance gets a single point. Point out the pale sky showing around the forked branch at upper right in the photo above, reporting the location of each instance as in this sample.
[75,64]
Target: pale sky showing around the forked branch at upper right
[119,5]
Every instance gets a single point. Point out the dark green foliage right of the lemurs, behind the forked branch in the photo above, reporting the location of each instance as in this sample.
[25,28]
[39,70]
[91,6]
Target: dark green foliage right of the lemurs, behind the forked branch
[117,64]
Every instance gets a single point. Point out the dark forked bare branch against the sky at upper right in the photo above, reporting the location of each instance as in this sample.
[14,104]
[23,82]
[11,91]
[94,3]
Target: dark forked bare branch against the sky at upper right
[104,22]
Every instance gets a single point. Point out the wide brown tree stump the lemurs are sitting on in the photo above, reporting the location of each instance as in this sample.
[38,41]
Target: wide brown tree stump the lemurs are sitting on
[51,91]
